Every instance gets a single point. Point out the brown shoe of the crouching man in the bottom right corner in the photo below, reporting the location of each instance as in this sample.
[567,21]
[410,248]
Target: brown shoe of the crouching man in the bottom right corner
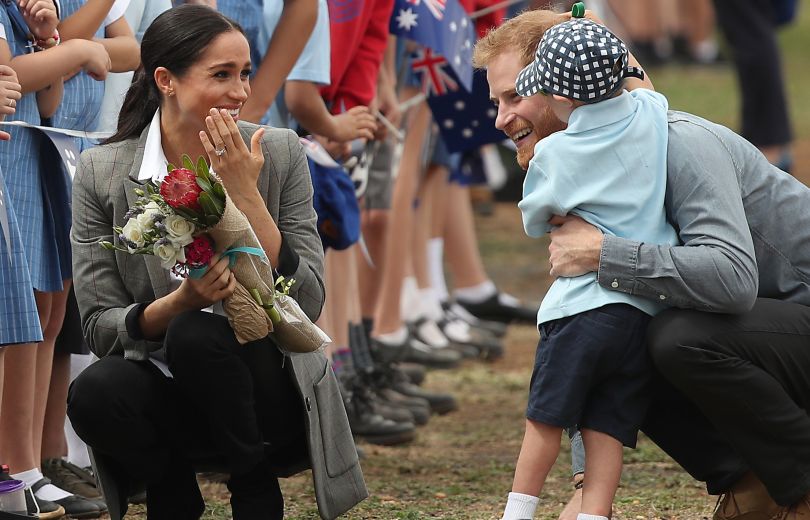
[748,500]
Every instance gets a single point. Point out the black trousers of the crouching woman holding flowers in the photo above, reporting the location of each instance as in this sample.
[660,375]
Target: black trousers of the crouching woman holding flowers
[234,400]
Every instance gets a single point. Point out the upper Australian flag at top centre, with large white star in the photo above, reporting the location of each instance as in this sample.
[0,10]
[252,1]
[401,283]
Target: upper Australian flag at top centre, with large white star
[441,26]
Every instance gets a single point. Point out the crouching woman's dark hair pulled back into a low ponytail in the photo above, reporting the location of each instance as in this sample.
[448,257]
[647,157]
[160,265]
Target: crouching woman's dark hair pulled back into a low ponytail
[174,40]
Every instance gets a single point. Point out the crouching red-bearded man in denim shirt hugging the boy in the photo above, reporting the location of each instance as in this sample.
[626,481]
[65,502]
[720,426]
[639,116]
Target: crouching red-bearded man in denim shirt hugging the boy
[733,350]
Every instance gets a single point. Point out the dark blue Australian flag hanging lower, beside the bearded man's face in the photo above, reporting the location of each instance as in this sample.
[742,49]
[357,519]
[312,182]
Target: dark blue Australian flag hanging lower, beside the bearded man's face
[465,119]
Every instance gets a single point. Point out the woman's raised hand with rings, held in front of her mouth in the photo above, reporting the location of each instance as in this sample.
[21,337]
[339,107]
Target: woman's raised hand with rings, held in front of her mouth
[229,156]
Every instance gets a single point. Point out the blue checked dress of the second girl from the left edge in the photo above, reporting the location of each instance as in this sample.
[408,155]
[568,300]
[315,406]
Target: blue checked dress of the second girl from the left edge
[38,190]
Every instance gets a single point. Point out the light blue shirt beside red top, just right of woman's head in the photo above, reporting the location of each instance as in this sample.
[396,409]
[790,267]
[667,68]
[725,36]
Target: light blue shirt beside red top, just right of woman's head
[312,65]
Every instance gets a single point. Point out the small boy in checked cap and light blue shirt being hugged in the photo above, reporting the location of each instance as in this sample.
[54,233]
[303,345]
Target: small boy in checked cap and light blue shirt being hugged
[609,167]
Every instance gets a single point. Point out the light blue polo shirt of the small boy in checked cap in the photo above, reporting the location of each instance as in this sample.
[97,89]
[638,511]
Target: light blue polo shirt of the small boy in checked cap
[608,167]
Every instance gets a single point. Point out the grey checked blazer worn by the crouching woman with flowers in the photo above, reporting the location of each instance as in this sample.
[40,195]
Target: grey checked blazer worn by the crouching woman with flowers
[109,283]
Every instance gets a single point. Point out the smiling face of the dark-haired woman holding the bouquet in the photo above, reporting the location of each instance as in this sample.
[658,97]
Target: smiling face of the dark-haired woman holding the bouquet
[218,79]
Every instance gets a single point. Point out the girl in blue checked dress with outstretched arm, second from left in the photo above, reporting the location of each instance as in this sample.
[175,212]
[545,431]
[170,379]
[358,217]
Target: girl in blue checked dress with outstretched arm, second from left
[37,206]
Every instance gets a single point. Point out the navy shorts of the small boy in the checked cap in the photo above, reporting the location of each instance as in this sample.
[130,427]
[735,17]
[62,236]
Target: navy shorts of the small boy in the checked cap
[592,371]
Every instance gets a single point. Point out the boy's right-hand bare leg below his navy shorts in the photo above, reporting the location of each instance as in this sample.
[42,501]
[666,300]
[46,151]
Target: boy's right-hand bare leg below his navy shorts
[603,463]
